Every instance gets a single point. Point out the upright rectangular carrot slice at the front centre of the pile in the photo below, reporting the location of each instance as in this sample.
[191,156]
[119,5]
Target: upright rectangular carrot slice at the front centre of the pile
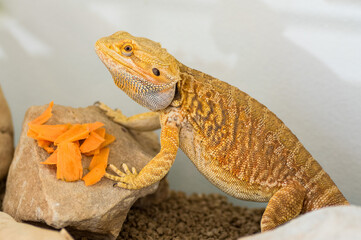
[69,167]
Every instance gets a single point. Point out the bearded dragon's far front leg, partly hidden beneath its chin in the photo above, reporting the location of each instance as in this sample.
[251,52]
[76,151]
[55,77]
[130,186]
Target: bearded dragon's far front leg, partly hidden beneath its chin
[148,121]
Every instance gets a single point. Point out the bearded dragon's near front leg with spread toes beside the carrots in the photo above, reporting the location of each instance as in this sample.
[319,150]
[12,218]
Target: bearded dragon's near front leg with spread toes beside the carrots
[157,168]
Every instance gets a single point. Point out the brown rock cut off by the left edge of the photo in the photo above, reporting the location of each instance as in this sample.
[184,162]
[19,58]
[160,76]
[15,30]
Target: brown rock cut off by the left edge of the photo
[6,137]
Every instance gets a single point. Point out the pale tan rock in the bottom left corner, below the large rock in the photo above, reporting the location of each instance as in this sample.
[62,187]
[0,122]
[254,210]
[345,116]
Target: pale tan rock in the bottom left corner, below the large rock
[10,229]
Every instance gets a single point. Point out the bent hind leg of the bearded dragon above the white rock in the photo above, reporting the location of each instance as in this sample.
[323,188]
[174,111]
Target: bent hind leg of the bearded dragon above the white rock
[283,206]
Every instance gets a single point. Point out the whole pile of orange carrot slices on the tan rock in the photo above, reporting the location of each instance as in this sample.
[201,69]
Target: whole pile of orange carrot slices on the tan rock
[67,142]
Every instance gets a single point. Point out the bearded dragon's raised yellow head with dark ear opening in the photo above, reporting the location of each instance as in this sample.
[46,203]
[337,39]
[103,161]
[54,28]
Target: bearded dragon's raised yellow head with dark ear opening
[141,68]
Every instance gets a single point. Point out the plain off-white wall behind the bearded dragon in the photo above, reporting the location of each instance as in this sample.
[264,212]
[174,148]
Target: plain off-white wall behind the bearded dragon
[302,59]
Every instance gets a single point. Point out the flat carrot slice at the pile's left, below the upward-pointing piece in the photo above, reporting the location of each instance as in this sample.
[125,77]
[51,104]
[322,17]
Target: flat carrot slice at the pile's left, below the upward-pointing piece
[48,132]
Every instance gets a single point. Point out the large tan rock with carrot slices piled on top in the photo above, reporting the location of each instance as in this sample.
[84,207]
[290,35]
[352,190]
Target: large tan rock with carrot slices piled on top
[34,194]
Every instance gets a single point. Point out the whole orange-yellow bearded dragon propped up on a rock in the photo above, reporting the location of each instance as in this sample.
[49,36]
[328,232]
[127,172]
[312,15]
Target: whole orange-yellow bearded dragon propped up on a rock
[237,143]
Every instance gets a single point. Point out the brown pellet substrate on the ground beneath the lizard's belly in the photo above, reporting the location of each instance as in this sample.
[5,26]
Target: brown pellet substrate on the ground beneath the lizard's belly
[198,216]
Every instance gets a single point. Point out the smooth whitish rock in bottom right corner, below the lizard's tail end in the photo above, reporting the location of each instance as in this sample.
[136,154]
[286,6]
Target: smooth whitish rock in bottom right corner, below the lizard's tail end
[331,223]
